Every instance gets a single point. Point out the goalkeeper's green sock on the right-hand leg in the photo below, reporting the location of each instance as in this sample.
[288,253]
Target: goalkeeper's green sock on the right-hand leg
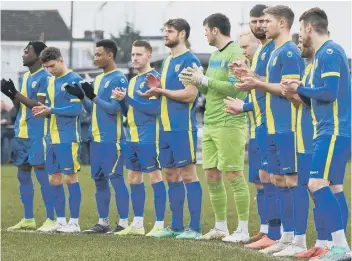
[241,194]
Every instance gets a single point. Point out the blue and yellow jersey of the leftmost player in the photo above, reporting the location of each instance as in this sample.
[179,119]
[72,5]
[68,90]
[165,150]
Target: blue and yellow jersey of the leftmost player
[31,86]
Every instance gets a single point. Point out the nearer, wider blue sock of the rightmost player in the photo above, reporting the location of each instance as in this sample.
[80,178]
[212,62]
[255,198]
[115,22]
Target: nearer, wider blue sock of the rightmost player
[329,205]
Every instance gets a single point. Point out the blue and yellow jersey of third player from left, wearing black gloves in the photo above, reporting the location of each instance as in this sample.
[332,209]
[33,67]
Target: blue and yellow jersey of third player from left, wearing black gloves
[107,127]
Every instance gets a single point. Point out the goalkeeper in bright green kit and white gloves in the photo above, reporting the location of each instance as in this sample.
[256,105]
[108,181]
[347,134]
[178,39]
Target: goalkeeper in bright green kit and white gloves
[224,135]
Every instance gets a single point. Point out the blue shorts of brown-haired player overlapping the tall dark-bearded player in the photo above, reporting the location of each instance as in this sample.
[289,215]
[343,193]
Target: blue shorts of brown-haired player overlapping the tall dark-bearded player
[282,158]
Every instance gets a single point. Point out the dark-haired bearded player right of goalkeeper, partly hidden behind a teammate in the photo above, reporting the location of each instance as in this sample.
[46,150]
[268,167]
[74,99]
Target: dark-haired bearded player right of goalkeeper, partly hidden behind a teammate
[268,208]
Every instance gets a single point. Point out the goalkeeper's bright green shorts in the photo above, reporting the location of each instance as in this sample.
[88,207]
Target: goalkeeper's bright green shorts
[224,148]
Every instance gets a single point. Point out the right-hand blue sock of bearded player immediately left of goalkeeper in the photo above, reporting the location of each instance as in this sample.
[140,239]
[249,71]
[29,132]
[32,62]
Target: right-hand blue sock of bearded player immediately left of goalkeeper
[194,198]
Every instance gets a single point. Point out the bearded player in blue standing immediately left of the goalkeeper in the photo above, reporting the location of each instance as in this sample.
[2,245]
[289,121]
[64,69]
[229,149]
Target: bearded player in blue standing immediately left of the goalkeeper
[178,131]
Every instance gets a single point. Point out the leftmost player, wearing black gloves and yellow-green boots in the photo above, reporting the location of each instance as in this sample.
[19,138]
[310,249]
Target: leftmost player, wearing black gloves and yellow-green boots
[29,142]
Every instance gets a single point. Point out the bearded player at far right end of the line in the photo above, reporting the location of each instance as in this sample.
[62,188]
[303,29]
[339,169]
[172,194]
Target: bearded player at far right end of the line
[330,97]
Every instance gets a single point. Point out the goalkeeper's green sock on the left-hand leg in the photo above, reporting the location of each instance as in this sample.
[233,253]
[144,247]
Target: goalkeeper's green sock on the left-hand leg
[218,198]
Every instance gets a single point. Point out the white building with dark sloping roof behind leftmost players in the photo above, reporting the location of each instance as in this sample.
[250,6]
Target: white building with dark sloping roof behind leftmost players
[20,27]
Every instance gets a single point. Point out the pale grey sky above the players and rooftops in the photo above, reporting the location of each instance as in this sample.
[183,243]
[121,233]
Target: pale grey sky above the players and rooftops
[148,17]
